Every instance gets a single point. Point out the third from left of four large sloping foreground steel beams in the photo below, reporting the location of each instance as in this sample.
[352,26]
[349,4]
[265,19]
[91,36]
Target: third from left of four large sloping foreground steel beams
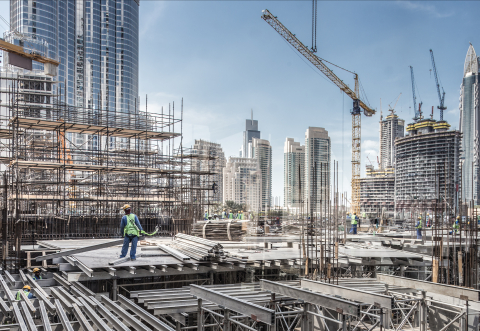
[384,301]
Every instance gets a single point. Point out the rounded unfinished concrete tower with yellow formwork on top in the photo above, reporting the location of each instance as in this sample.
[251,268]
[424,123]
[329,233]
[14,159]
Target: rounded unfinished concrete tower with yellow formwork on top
[427,172]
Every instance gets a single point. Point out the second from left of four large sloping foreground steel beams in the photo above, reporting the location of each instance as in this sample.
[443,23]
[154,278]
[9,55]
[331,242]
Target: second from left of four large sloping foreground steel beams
[348,307]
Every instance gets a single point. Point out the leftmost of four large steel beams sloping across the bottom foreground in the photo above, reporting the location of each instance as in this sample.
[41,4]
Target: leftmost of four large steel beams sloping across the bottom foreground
[256,312]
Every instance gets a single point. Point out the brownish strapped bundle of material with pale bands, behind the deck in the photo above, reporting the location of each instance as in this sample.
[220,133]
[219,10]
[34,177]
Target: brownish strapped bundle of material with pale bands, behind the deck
[219,230]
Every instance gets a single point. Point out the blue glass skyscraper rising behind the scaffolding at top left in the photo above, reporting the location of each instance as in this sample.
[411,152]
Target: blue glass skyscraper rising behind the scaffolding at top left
[96,42]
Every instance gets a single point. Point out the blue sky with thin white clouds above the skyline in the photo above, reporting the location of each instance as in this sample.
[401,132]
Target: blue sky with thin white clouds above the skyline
[224,61]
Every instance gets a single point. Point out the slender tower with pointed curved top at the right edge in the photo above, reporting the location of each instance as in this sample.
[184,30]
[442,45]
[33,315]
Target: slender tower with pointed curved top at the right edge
[470,127]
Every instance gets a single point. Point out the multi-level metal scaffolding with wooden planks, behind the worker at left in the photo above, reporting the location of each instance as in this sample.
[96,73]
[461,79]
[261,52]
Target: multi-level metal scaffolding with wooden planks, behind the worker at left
[68,170]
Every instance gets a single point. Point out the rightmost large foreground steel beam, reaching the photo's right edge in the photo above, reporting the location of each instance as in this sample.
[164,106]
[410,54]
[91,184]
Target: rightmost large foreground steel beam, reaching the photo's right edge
[429,287]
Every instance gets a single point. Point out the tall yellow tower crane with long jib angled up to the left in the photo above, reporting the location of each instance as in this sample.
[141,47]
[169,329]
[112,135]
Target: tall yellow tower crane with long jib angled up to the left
[358,104]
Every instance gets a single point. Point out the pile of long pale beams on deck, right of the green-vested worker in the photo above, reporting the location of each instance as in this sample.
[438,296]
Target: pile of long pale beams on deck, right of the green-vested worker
[198,248]
